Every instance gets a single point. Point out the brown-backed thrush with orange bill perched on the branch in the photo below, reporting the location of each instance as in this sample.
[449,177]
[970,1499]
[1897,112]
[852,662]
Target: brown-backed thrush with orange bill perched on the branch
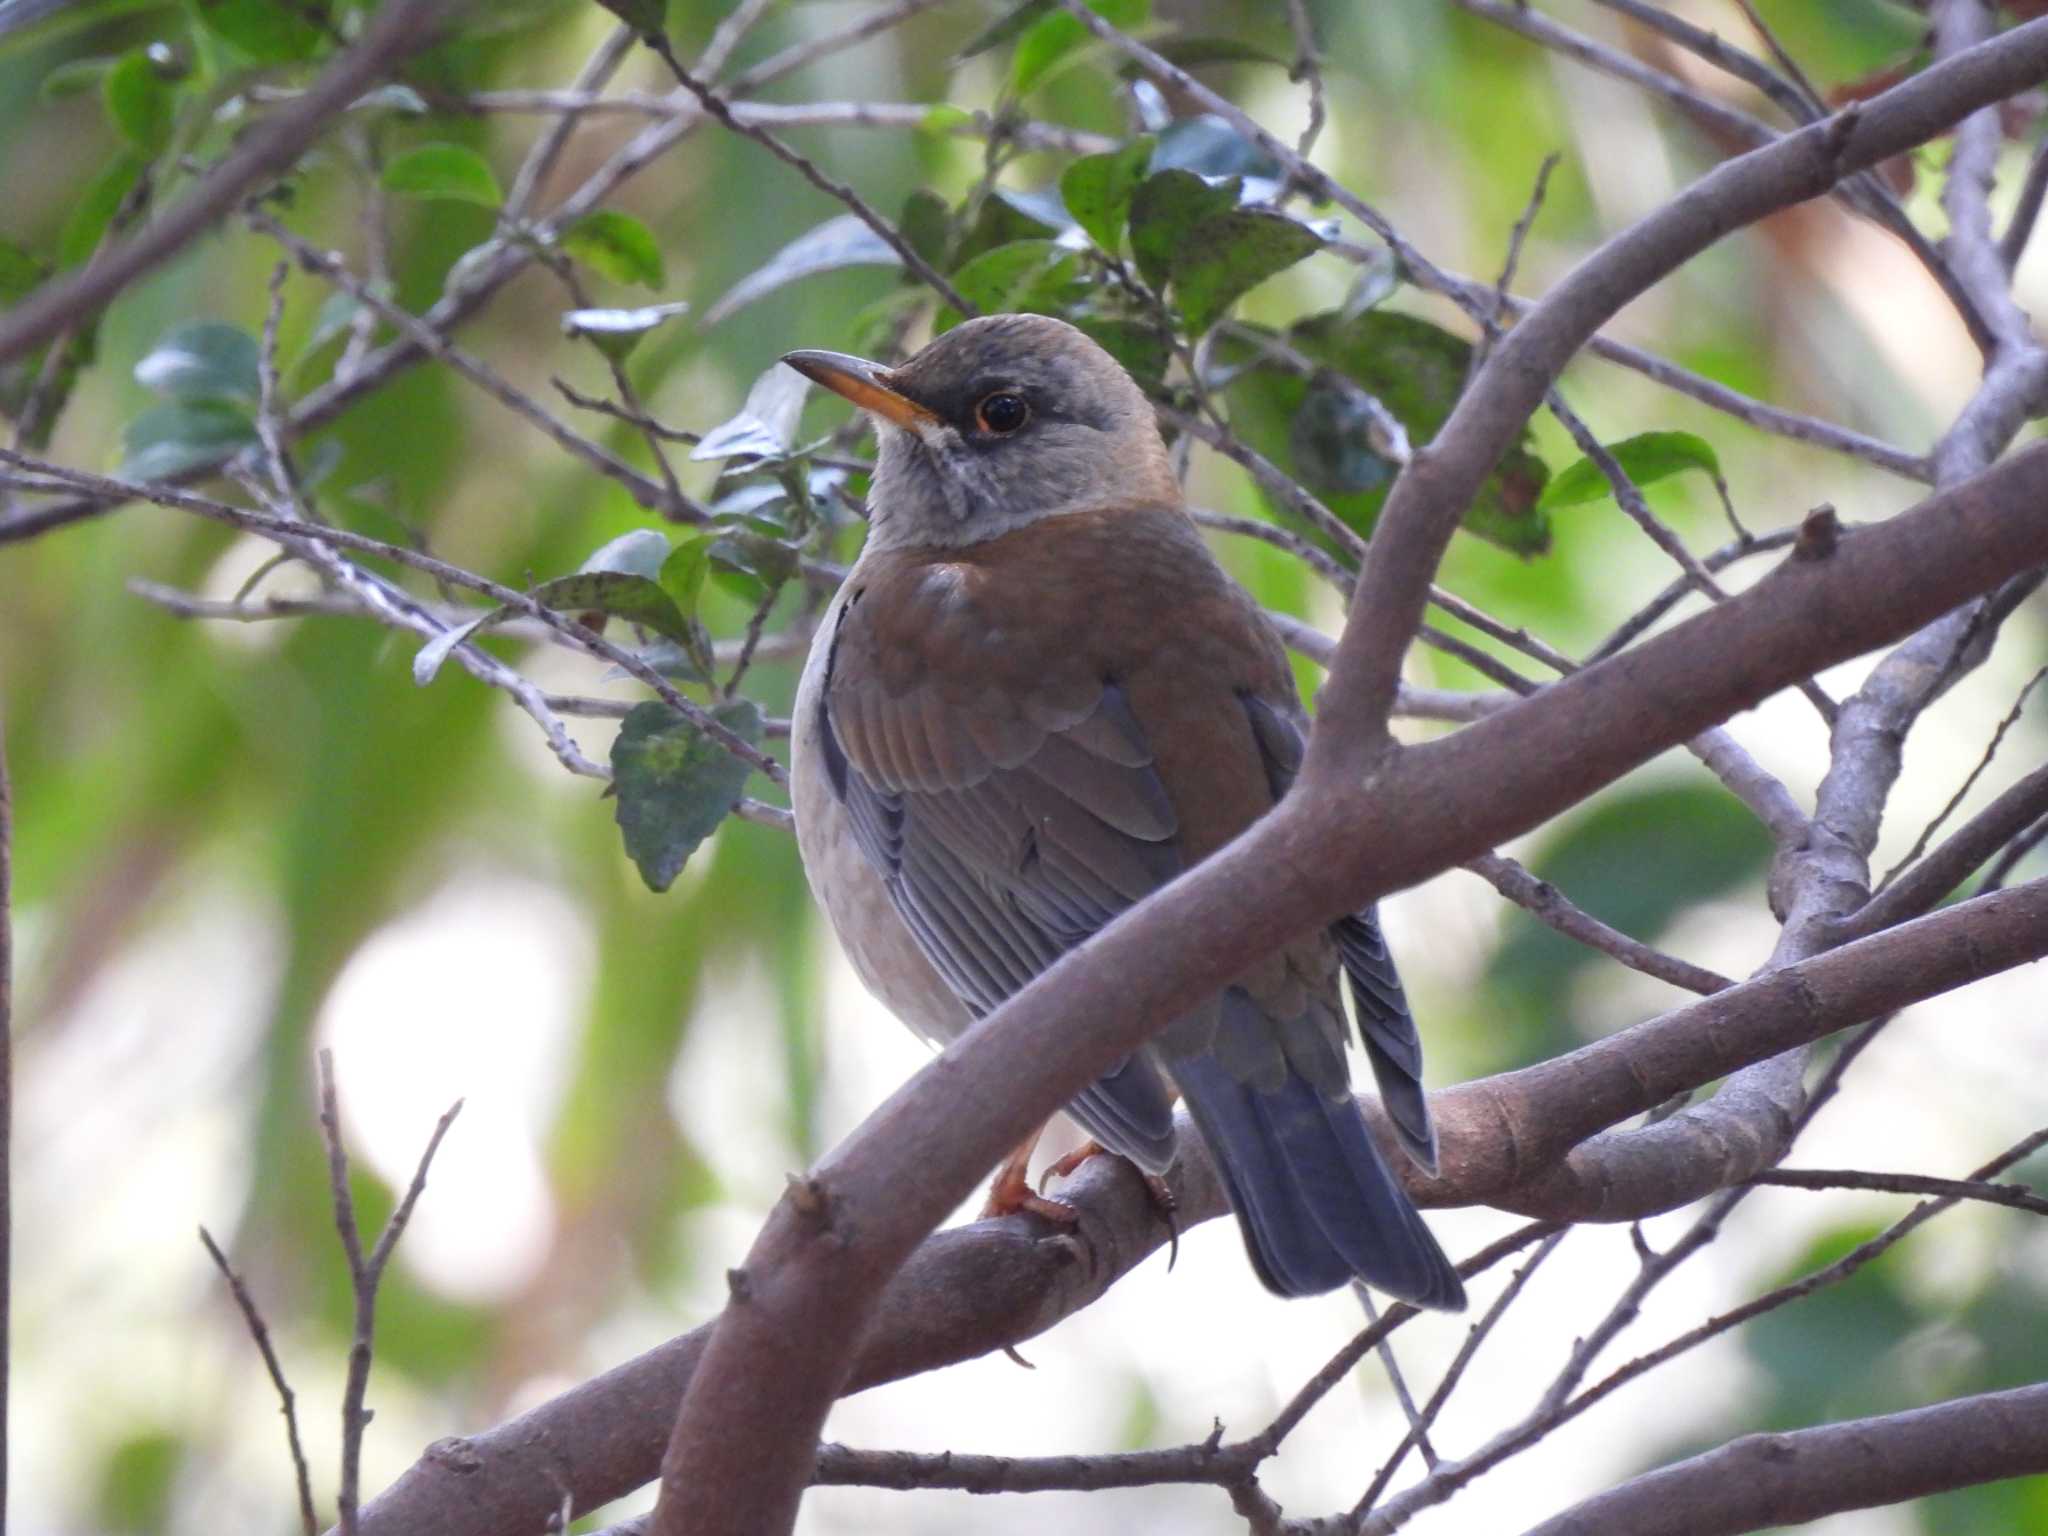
[1035,699]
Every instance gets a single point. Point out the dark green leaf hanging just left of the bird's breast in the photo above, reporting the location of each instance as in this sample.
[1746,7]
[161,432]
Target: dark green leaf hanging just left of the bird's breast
[677,785]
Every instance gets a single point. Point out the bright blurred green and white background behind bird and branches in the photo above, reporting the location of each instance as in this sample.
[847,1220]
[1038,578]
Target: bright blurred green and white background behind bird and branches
[243,843]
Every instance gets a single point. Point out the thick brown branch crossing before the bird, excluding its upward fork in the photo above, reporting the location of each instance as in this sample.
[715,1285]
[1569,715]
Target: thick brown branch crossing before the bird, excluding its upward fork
[783,1353]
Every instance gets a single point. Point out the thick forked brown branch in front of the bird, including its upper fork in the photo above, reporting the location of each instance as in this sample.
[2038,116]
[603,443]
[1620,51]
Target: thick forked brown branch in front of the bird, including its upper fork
[1369,820]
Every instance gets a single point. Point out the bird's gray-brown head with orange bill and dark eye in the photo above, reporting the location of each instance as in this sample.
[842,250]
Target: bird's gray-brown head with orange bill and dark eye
[1000,423]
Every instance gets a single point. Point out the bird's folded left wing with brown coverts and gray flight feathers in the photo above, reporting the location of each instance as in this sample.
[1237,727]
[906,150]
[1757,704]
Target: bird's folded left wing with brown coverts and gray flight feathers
[1007,830]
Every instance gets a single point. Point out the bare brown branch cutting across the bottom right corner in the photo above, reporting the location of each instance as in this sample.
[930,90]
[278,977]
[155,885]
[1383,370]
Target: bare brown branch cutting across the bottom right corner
[1789,1480]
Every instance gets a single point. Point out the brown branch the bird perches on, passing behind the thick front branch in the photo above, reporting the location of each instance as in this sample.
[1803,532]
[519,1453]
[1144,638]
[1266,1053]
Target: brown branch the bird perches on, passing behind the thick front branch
[998,1283]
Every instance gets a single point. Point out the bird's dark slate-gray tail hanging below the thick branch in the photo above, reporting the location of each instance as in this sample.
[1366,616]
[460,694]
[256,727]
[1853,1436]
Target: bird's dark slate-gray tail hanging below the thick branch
[1314,1199]
